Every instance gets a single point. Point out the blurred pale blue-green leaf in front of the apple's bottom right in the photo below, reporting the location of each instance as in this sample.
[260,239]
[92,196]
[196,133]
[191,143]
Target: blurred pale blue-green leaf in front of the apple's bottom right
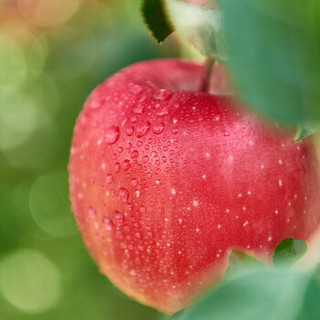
[259,294]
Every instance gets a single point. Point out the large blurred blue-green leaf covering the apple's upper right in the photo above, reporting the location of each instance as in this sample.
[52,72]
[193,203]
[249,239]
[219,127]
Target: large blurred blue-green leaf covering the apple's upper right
[273,49]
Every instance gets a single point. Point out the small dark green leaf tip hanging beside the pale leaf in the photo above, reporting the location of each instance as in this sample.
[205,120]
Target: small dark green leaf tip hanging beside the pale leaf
[155,18]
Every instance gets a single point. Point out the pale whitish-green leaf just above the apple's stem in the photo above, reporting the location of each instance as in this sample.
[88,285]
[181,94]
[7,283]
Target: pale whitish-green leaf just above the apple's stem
[200,26]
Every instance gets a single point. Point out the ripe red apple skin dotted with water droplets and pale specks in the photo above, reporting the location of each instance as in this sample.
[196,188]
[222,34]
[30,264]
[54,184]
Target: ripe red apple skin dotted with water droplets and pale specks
[165,180]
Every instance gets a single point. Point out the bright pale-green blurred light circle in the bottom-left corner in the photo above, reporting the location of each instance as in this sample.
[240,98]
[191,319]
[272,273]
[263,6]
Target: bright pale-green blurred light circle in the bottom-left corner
[30,281]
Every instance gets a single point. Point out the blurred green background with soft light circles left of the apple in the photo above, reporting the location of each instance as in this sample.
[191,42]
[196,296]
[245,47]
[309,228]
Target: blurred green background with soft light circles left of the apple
[52,54]
